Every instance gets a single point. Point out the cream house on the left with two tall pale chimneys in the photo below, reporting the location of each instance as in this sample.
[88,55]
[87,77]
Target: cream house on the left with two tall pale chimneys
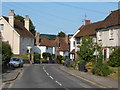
[16,34]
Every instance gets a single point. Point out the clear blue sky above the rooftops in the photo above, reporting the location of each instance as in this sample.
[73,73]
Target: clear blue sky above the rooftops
[53,17]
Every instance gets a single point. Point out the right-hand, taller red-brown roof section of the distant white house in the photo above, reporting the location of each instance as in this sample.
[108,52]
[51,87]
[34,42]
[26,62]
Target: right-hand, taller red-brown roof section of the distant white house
[63,45]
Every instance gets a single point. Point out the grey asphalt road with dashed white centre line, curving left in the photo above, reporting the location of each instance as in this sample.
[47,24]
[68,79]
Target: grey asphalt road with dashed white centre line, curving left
[48,76]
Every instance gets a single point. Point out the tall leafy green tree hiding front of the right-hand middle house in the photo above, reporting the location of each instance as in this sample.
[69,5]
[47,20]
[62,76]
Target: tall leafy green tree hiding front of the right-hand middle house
[86,49]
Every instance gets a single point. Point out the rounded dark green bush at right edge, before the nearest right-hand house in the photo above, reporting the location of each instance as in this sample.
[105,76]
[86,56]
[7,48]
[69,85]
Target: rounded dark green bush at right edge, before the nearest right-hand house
[114,59]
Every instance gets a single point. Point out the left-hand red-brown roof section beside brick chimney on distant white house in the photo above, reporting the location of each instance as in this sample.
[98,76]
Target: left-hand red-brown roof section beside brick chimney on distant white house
[46,42]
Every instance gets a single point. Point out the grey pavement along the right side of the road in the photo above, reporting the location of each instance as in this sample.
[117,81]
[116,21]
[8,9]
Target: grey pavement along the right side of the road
[98,80]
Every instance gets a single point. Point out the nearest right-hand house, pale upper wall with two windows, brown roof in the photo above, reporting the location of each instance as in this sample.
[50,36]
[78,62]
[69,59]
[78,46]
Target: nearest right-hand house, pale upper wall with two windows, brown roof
[108,33]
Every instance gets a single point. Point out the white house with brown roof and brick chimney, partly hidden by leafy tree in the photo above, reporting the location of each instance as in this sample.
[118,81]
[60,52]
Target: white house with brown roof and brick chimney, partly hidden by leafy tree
[89,29]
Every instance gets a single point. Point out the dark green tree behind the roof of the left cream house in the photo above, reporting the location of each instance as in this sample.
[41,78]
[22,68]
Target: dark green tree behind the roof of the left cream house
[32,27]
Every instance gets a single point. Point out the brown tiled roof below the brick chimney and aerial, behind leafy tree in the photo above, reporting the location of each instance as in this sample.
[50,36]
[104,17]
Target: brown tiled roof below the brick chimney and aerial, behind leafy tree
[88,29]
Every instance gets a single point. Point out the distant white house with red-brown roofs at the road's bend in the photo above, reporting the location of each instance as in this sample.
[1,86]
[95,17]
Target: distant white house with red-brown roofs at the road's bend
[59,46]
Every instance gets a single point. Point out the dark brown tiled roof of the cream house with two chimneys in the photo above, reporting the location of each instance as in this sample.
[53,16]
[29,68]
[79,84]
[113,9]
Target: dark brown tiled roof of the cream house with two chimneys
[20,29]
